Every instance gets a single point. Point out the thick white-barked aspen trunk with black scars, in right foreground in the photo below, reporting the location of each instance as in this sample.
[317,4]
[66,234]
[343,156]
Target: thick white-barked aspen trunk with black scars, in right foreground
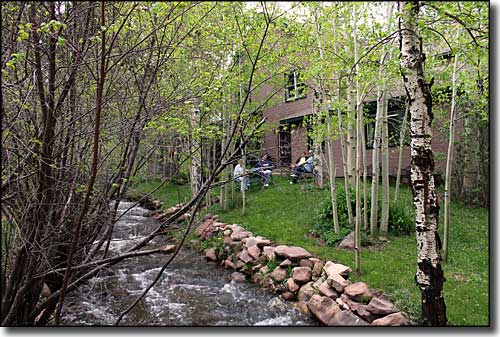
[429,276]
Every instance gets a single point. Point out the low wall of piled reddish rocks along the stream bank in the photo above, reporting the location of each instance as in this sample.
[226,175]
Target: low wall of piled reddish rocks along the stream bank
[319,288]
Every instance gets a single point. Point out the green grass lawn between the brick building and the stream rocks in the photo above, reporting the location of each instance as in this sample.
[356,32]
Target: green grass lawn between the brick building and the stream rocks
[284,212]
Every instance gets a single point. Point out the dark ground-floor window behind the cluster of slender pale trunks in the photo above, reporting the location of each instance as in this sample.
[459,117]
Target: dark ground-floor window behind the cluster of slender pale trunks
[395,114]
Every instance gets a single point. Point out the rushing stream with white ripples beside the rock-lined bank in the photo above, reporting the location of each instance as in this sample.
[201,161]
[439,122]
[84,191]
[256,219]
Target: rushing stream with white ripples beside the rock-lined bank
[191,292]
